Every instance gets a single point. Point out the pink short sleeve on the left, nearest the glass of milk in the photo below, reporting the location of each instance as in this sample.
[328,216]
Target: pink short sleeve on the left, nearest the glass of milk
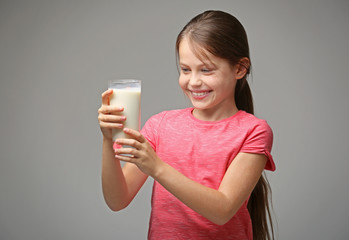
[151,129]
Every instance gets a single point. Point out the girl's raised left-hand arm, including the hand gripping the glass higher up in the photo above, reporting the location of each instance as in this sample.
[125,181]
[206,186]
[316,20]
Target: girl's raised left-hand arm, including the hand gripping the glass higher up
[120,185]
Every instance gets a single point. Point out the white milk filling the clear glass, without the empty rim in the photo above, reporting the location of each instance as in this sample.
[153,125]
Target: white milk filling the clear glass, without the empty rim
[130,100]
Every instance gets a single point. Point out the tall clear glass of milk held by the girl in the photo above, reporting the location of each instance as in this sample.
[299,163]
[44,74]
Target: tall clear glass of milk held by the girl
[127,94]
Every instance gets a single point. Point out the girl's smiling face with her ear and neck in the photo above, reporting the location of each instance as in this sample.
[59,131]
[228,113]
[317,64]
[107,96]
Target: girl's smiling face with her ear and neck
[209,83]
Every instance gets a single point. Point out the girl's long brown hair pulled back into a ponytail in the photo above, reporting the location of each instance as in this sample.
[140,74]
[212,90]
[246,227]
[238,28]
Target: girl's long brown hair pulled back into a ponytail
[222,35]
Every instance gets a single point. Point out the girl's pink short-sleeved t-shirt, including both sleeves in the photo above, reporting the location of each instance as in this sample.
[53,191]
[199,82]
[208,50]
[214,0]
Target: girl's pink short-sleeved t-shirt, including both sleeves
[202,151]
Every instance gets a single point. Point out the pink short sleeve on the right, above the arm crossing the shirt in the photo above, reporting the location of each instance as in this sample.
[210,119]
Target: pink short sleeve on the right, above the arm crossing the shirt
[260,141]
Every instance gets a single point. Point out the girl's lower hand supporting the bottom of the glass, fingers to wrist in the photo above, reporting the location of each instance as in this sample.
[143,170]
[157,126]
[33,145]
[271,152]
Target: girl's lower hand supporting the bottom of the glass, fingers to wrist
[142,154]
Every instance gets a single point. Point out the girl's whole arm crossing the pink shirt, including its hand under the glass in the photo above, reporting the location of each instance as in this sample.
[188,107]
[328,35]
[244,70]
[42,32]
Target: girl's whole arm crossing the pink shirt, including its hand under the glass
[219,206]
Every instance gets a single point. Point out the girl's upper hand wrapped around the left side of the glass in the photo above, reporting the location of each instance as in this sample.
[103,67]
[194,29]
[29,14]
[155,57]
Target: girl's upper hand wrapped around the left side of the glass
[109,117]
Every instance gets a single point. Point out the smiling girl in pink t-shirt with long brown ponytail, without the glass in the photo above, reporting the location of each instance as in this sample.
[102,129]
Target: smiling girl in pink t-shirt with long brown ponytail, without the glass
[207,161]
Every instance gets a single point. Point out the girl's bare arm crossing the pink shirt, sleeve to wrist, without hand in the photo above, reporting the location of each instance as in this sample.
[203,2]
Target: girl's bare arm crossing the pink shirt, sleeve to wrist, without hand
[219,206]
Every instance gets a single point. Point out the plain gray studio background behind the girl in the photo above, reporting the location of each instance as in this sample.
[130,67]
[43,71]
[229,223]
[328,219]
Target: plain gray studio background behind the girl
[57,56]
